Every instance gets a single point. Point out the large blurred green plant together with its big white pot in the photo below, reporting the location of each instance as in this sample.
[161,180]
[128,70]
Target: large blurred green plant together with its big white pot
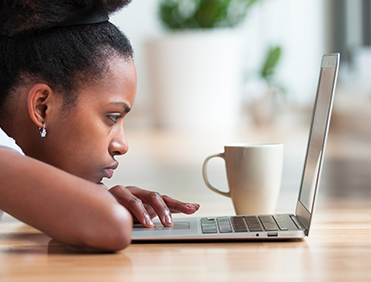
[195,68]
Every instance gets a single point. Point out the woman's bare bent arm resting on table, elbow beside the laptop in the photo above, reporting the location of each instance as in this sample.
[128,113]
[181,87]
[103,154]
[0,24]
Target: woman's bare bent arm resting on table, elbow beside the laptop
[73,211]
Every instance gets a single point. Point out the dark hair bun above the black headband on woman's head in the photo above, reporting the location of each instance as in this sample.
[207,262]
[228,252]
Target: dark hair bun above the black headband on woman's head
[21,16]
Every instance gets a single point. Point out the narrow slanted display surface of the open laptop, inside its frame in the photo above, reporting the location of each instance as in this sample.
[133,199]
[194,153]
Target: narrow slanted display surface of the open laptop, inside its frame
[317,138]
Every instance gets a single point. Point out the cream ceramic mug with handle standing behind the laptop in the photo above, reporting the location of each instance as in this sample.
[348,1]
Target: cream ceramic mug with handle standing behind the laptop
[254,173]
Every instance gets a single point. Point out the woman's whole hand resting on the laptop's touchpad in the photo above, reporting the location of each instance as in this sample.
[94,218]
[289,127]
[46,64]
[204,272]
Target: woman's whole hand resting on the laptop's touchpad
[145,205]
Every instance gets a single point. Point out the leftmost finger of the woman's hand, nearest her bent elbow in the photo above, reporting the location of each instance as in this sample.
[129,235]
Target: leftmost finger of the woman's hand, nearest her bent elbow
[133,204]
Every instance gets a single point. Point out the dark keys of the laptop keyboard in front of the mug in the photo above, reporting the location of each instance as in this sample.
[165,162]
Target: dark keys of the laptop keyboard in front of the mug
[243,224]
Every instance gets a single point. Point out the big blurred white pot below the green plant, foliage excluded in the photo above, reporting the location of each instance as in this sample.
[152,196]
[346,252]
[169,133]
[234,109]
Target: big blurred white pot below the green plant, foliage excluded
[196,80]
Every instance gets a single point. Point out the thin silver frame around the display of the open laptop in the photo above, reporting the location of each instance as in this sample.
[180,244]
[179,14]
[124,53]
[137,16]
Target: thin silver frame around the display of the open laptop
[302,213]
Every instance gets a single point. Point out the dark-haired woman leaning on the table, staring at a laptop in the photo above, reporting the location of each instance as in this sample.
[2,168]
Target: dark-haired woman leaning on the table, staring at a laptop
[67,81]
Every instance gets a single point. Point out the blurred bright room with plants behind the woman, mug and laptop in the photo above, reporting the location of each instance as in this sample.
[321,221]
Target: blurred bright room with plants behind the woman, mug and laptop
[247,71]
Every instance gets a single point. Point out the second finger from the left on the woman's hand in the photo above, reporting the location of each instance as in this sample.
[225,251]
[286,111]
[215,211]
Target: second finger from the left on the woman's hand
[154,199]
